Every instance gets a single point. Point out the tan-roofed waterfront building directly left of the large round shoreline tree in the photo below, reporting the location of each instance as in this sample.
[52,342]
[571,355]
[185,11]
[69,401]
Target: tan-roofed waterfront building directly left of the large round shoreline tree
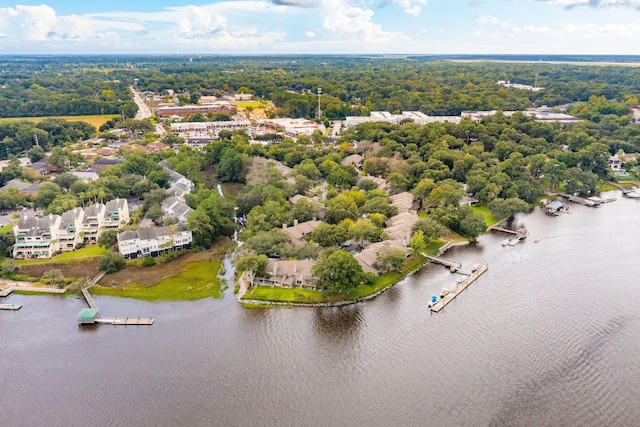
[287,274]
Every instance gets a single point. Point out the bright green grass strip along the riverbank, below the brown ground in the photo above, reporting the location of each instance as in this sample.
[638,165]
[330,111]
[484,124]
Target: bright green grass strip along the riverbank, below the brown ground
[197,280]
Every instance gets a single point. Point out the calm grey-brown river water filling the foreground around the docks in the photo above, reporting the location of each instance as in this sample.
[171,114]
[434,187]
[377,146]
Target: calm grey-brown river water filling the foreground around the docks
[550,335]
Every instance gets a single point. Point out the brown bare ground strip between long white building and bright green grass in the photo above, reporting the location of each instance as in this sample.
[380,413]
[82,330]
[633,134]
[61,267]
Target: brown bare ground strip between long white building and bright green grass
[149,276]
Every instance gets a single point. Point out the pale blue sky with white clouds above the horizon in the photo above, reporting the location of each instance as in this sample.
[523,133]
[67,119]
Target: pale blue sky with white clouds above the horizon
[586,27]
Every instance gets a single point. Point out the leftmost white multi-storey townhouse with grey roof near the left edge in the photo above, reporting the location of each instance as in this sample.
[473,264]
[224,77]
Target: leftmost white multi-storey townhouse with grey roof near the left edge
[36,237]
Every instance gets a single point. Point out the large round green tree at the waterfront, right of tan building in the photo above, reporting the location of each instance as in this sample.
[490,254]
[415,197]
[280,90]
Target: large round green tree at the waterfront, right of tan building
[337,272]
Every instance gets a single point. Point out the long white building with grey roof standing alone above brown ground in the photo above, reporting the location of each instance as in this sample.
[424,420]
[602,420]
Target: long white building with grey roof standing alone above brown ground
[153,241]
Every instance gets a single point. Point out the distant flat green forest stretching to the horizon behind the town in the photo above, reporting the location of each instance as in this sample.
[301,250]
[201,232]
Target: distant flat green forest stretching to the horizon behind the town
[436,85]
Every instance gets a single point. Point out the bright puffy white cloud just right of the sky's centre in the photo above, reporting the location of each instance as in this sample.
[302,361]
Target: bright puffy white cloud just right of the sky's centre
[346,20]
